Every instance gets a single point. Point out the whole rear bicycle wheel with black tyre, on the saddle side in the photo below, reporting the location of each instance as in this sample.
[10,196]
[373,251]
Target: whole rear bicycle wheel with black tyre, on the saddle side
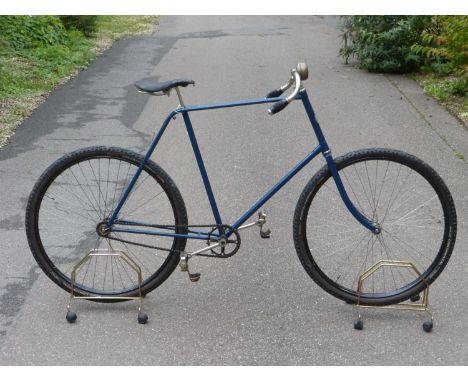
[80,191]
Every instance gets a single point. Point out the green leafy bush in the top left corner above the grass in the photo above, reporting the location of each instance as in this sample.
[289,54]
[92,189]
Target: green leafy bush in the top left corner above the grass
[22,32]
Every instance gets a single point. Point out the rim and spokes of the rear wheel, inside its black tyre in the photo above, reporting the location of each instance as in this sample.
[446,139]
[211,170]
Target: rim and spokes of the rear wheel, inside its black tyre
[80,196]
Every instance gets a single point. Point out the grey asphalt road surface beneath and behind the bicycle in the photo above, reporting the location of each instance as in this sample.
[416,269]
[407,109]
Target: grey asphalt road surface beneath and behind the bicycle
[258,307]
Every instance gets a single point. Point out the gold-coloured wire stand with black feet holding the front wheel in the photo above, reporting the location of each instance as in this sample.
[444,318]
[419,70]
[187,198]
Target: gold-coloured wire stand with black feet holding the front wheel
[423,306]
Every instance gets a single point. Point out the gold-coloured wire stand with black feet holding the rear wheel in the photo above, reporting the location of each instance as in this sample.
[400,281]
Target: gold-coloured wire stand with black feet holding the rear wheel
[71,316]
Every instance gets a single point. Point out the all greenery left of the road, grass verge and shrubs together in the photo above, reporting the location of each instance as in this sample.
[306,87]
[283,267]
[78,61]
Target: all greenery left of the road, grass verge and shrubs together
[38,52]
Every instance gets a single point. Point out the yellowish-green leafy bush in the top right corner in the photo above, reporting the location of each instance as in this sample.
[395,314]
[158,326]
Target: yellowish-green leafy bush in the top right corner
[444,43]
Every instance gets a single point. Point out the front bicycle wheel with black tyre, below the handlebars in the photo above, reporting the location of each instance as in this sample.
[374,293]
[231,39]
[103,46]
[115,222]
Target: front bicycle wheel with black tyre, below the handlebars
[399,192]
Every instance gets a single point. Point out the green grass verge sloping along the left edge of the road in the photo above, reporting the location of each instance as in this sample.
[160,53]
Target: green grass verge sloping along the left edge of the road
[28,75]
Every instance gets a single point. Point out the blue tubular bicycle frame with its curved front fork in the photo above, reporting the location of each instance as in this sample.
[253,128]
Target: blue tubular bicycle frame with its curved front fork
[163,230]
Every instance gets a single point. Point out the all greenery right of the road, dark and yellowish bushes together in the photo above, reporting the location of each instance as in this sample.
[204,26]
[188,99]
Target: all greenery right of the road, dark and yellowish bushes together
[437,46]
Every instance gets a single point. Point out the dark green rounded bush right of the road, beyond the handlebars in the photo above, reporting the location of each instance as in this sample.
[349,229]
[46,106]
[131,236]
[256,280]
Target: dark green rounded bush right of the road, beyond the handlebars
[383,43]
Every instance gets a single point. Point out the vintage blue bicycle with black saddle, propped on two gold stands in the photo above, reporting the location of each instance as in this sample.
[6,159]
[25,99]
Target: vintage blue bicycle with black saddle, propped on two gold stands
[381,203]
